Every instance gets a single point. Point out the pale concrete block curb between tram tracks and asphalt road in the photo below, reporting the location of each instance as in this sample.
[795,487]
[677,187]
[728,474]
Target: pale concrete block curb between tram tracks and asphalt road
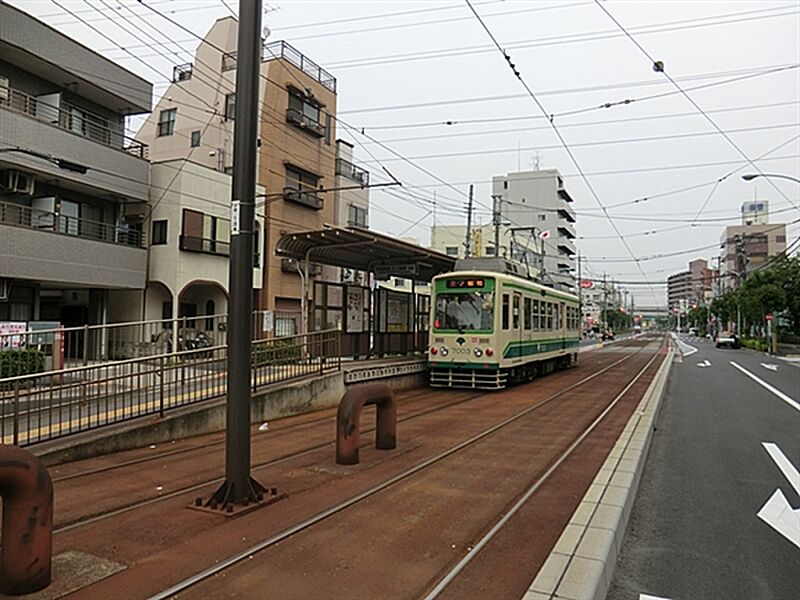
[581,564]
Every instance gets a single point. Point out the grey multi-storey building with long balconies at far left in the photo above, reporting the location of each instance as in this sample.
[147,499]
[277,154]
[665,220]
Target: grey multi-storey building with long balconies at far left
[73,187]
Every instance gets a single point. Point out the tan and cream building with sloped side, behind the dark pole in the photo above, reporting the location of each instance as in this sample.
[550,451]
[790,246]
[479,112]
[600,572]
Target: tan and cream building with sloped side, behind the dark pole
[194,120]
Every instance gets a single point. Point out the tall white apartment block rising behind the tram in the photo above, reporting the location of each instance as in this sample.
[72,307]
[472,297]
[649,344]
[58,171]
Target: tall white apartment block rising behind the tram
[537,201]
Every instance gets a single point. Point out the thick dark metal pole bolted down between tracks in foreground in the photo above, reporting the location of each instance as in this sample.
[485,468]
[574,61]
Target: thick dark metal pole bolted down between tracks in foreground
[238,487]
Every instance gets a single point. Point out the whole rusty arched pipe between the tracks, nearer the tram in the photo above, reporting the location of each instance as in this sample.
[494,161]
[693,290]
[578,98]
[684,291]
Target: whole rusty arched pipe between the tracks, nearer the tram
[349,415]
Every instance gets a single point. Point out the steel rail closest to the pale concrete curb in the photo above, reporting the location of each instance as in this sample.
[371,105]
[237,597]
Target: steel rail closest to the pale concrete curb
[475,549]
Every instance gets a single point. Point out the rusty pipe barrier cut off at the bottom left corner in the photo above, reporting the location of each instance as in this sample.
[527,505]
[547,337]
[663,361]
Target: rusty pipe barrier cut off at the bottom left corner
[27,494]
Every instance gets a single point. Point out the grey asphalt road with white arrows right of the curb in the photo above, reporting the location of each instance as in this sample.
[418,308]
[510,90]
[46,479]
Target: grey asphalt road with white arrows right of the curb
[695,531]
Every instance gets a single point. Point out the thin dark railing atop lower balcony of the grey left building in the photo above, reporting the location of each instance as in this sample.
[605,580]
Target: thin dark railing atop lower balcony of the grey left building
[20,215]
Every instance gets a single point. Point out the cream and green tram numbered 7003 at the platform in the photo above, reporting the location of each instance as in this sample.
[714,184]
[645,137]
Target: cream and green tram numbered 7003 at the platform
[490,329]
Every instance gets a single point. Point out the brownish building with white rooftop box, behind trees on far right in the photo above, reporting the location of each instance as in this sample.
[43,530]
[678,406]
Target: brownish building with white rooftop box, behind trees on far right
[747,247]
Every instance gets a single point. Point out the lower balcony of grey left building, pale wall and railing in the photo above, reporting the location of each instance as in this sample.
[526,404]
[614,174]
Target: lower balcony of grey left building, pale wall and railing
[48,247]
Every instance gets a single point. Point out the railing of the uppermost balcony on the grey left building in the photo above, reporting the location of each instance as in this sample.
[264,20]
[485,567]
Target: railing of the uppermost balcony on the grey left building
[73,119]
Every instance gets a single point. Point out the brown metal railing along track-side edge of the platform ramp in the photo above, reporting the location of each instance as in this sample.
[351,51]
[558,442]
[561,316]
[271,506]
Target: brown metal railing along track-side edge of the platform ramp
[45,406]
